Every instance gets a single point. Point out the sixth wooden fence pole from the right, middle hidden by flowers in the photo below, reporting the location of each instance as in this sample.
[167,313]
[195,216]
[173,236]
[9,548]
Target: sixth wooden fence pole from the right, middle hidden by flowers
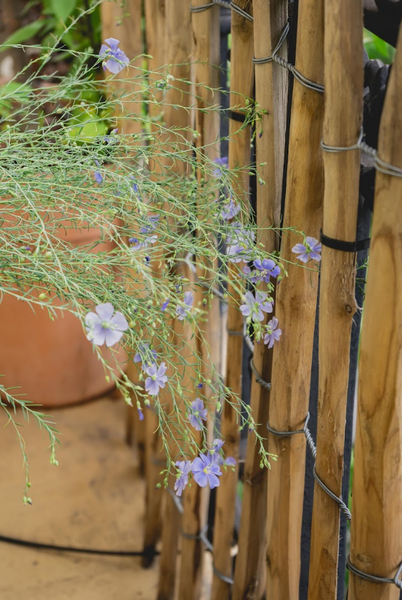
[205,55]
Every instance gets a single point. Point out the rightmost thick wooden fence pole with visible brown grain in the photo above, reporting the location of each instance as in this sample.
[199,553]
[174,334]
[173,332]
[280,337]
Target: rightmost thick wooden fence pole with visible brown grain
[376,537]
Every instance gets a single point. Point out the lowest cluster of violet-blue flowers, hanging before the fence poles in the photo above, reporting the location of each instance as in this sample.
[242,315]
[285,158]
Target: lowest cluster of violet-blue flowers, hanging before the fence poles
[206,468]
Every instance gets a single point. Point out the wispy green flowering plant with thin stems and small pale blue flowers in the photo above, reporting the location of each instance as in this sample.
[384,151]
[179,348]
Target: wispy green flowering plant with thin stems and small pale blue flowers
[66,165]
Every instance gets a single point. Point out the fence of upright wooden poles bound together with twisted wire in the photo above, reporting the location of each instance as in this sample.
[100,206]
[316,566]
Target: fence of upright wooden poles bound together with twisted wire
[309,155]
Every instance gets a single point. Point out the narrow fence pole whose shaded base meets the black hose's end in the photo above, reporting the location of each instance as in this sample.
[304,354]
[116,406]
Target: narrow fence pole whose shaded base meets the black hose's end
[155,29]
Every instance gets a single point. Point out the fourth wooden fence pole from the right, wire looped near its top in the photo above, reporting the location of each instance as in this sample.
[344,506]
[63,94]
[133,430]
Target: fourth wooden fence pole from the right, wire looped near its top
[249,580]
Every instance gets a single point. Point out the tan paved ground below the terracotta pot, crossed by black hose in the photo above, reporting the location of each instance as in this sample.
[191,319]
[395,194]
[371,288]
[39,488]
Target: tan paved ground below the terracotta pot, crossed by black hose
[95,498]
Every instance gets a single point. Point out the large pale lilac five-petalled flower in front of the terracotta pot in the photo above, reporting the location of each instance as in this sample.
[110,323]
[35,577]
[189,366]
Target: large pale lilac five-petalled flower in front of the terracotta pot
[104,326]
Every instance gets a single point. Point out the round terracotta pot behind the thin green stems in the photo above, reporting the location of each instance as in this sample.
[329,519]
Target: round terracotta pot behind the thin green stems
[52,362]
